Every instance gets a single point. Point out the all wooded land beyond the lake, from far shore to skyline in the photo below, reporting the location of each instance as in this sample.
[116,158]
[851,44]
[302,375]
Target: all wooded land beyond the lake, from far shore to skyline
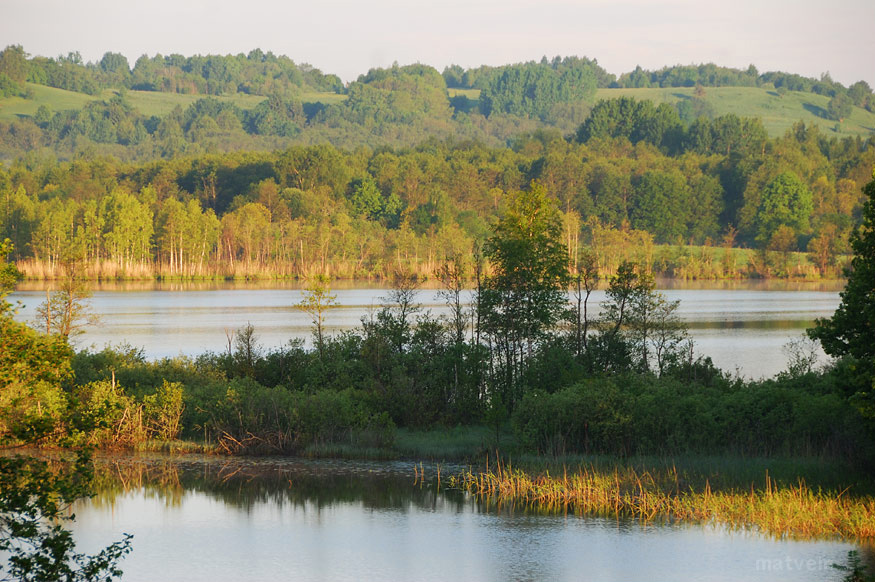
[406,166]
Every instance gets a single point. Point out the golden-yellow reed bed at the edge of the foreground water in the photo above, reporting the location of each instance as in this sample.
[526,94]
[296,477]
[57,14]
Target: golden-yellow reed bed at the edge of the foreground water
[795,511]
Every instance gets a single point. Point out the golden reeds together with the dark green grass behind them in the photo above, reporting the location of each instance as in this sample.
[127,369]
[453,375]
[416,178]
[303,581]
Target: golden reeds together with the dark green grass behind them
[808,498]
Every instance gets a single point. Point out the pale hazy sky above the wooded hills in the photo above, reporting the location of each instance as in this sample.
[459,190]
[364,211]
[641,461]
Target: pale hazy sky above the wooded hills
[347,37]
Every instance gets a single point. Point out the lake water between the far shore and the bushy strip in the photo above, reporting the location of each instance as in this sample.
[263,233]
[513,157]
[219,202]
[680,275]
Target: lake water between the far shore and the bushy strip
[742,326]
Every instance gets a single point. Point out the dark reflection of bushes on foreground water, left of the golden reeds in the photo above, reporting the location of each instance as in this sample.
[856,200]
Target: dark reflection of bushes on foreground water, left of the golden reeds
[245,483]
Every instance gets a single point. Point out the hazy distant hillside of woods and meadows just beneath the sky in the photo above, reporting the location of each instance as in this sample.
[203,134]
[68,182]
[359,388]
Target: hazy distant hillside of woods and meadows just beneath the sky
[261,101]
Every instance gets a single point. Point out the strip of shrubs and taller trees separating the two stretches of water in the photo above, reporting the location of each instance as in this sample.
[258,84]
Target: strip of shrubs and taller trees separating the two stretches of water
[525,356]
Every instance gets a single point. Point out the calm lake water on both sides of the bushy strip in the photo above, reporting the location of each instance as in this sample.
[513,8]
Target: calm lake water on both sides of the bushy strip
[216,519]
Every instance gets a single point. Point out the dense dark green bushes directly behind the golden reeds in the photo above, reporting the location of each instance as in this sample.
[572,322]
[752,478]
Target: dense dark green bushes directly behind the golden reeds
[643,414]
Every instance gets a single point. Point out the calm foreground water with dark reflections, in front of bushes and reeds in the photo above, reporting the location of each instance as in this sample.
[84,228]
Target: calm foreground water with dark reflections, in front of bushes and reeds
[214,519]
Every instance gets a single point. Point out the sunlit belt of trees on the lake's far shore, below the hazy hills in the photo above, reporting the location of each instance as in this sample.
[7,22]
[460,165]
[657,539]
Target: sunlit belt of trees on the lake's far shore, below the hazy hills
[631,179]
